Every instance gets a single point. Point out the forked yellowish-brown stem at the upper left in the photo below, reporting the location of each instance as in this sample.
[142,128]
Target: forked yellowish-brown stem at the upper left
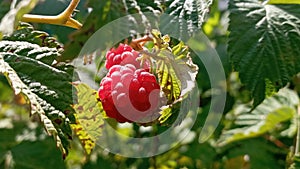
[63,18]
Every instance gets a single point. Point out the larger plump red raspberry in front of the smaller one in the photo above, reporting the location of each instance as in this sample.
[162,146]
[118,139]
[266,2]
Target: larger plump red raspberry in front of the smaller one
[129,94]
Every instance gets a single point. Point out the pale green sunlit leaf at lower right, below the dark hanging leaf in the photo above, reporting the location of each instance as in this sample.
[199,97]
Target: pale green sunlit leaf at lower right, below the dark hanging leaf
[264,118]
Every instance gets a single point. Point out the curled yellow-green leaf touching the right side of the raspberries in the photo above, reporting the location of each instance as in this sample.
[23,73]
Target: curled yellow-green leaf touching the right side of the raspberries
[176,71]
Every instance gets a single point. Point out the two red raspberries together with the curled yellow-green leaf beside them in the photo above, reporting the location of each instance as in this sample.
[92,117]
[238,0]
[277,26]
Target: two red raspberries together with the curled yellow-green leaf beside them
[130,88]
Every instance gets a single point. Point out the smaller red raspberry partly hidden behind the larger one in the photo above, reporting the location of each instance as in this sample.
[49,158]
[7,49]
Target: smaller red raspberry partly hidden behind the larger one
[123,55]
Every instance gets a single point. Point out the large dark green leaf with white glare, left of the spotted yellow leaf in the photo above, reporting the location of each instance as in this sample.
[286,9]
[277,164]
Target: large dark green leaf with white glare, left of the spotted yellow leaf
[53,88]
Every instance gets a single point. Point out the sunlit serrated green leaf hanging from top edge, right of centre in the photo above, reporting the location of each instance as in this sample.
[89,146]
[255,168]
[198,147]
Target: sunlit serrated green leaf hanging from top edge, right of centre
[187,16]
